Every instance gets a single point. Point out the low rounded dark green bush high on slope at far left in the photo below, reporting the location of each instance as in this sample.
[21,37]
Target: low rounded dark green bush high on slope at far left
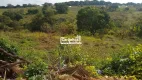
[13,15]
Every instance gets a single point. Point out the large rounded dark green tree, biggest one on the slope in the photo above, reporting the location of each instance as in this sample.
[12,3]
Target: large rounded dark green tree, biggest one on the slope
[92,19]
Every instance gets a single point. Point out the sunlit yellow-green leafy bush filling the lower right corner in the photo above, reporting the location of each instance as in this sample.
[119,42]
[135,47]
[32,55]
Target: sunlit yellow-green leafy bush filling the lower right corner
[126,62]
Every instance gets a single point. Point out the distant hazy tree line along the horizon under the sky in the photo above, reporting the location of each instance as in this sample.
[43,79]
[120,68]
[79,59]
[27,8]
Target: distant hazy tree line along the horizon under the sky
[75,3]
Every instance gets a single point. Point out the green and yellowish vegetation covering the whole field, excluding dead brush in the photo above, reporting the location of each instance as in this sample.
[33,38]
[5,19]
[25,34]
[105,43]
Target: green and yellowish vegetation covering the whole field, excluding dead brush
[34,33]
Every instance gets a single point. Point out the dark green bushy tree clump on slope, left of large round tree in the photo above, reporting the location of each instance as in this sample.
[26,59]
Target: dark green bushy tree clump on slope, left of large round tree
[42,22]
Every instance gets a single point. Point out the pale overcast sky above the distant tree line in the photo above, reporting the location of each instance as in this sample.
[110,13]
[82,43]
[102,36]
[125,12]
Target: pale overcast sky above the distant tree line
[14,2]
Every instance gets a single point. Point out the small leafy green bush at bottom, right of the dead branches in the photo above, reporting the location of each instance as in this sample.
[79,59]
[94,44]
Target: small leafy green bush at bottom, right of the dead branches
[37,68]
